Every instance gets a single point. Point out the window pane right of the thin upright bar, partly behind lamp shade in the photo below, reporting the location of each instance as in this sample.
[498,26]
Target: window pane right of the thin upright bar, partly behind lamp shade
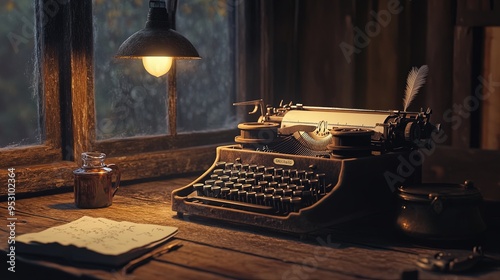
[206,87]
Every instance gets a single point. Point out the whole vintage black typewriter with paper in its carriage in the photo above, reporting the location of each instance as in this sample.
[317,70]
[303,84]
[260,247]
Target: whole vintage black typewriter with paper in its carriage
[301,168]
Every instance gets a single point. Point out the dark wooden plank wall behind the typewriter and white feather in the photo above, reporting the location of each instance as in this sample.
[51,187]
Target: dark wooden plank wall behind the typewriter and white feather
[310,39]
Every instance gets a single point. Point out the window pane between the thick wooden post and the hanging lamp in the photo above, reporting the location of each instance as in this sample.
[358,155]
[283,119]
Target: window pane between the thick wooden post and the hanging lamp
[129,101]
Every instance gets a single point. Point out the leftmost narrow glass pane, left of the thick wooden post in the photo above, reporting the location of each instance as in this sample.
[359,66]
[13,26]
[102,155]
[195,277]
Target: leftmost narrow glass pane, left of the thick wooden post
[19,116]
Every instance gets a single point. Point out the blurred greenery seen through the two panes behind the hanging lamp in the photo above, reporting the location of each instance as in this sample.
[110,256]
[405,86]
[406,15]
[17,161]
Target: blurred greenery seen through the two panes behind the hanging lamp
[130,102]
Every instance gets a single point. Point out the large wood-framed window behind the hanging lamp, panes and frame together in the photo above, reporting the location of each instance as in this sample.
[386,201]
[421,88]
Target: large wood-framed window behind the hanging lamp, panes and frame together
[89,101]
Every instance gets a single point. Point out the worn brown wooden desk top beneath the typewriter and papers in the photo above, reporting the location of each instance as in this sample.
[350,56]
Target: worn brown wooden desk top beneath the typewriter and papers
[217,250]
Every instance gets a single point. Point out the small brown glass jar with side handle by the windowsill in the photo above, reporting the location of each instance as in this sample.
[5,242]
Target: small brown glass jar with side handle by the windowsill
[94,187]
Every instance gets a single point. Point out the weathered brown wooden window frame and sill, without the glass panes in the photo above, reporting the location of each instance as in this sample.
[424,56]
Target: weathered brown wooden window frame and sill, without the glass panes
[69,113]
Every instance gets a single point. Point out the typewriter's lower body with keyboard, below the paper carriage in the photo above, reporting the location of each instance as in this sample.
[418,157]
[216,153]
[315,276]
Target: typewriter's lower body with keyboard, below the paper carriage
[292,193]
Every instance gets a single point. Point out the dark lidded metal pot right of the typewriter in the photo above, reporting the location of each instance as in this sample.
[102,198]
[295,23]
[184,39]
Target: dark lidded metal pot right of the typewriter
[440,211]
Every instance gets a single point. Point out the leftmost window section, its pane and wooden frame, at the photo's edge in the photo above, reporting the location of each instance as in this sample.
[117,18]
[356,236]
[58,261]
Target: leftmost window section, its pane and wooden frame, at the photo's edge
[30,114]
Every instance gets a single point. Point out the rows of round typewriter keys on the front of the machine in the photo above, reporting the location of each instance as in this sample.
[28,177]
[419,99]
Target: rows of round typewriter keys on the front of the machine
[261,189]
